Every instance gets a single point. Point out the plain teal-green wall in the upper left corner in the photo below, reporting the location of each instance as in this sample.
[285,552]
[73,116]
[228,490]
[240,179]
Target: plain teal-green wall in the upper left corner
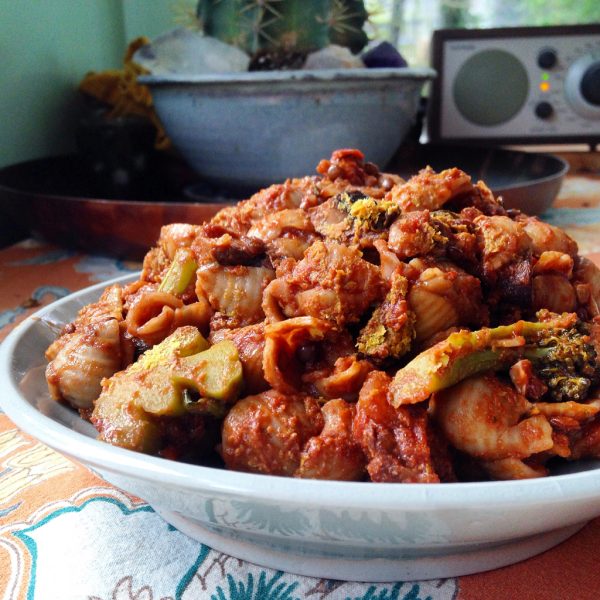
[46,47]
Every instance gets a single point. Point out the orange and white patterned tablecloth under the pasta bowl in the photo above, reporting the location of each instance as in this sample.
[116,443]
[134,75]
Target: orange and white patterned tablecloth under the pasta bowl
[66,533]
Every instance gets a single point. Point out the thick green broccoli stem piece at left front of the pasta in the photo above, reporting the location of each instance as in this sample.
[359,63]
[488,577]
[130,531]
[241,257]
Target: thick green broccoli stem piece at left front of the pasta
[159,384]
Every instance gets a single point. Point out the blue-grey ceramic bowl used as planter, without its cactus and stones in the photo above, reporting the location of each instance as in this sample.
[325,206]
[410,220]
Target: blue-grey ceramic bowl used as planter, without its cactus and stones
[248,130]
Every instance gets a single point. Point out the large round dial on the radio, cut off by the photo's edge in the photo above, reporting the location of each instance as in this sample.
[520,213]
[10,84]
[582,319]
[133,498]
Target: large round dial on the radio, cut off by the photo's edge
[582,86]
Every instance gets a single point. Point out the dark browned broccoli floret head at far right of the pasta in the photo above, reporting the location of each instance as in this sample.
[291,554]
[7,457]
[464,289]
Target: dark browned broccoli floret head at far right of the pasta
[566,361]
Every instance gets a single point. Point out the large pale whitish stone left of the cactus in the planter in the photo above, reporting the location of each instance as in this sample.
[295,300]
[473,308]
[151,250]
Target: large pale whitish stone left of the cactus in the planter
[187,52]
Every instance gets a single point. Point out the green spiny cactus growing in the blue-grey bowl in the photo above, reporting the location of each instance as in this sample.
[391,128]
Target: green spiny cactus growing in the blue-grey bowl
[284,25]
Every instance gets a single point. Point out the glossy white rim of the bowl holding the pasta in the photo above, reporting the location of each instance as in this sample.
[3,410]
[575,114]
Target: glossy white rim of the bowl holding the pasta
[411,497]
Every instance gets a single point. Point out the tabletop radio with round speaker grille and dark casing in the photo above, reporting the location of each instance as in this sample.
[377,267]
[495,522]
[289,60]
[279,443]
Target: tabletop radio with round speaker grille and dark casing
[521,85]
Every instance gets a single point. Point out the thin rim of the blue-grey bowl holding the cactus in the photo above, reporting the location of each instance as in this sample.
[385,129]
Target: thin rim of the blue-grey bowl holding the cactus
[296,75]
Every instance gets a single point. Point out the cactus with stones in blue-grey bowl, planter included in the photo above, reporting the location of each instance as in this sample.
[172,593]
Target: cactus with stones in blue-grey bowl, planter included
[286,99]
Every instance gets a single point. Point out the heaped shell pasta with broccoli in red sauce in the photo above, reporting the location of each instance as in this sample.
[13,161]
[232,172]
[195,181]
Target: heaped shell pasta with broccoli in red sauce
[349,325]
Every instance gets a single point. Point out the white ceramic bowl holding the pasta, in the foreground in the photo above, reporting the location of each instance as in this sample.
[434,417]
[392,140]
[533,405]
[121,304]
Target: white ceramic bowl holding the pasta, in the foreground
[354,531]
